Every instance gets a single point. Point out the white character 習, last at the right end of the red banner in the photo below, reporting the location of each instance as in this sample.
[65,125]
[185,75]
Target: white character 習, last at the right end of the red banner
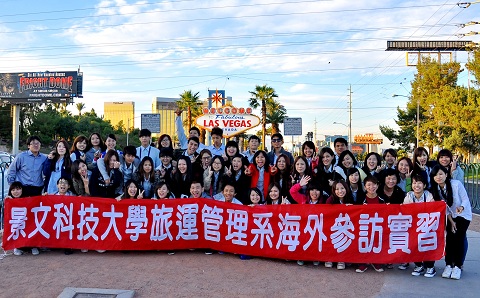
[427,225]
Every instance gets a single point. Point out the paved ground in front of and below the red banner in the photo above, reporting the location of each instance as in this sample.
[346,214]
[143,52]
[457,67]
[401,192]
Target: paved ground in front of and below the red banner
[191,273]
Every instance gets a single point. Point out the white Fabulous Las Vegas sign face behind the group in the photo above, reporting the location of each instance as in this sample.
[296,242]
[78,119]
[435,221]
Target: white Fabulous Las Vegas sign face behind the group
[232,120]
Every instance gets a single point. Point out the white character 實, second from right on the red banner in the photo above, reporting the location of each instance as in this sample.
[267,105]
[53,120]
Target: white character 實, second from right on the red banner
[398,238]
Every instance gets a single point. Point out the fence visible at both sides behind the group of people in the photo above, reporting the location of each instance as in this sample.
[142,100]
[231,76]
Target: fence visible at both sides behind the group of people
[471,181]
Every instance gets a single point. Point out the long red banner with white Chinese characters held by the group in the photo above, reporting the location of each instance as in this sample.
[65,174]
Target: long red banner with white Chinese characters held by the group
[337,233]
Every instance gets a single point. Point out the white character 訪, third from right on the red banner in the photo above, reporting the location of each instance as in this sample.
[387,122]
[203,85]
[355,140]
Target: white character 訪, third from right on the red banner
[365,243]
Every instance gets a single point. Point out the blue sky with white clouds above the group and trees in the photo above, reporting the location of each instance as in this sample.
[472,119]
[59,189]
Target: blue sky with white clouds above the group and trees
[313,53]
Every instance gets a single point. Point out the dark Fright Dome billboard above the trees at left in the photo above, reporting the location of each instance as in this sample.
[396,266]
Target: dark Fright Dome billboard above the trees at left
[25,87]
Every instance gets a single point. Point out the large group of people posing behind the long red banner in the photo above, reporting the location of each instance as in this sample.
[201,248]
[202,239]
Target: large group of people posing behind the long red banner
[95,167]
